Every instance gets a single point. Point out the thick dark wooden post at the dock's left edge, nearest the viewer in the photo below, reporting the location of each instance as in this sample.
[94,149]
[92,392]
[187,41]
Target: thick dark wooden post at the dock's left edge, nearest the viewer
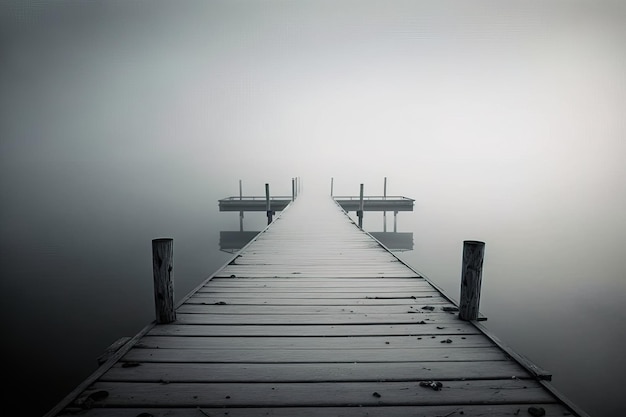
[162,265]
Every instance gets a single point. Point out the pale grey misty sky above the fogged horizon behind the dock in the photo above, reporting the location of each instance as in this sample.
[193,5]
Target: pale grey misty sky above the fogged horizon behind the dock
[111,104]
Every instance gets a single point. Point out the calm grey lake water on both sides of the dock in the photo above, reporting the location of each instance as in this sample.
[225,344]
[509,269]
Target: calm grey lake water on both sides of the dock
[72,290]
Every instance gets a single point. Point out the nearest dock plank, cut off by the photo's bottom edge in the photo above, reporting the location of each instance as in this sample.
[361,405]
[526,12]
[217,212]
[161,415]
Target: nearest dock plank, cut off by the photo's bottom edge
[497,410]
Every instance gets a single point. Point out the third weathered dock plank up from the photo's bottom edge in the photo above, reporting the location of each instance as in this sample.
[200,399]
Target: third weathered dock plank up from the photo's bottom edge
[313,372]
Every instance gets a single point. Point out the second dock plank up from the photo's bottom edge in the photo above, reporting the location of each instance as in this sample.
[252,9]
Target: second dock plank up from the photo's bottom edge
[316,394]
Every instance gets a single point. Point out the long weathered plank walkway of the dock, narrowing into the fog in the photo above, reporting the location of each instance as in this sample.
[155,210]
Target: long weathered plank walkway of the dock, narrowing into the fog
[314,317]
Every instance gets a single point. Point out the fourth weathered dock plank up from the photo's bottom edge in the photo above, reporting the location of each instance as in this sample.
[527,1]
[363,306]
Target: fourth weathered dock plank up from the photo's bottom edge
[442,353]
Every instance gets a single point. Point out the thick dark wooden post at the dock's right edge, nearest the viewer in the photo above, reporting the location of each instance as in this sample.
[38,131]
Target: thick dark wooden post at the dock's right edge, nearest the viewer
[471,276]
